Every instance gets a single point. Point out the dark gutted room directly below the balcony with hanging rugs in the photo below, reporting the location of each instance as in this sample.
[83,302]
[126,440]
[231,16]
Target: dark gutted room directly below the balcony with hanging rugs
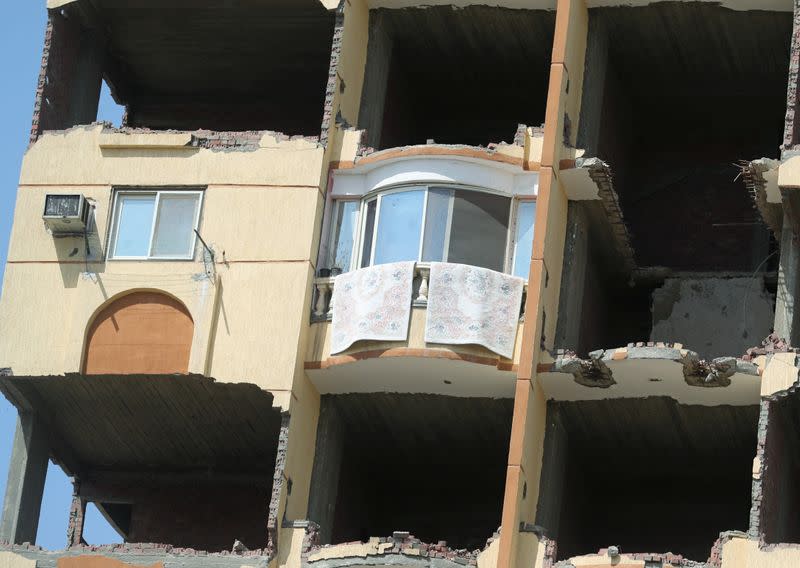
[432,465]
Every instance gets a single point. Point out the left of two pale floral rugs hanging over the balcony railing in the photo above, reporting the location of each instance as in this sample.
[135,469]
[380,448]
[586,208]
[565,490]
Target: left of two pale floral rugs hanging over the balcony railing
[372,303]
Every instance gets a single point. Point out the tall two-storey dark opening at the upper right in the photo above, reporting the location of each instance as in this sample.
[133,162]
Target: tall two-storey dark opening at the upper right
[675,94]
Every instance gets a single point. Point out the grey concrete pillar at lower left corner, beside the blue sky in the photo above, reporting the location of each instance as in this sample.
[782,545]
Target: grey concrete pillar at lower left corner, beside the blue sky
[26,475]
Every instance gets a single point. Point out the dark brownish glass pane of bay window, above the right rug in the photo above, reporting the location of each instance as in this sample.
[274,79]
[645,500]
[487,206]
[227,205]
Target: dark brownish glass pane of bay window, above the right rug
[479,229]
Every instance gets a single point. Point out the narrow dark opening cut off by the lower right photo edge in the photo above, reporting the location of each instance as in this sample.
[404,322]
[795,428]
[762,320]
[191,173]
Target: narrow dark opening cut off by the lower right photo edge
[780,506]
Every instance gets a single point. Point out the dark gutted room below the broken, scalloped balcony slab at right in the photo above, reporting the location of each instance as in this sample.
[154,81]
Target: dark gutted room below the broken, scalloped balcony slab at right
[648,475]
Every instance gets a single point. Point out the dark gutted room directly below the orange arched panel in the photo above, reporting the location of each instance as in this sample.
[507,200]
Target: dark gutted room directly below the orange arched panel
[179,460]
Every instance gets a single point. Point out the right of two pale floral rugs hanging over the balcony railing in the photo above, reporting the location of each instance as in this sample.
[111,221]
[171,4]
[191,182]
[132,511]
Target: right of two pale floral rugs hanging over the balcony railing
[467,304]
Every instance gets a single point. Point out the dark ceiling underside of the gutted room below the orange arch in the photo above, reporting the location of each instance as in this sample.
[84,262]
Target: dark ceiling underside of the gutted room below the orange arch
[148,423]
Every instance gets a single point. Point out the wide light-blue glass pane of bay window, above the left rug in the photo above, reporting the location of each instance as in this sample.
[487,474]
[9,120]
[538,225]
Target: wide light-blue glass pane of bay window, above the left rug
[399,226]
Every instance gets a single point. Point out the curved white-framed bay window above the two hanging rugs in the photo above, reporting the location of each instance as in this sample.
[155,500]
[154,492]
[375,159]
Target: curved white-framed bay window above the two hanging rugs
[433,224]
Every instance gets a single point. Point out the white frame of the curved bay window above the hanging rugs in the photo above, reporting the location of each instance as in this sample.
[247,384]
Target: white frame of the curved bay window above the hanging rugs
[357,256]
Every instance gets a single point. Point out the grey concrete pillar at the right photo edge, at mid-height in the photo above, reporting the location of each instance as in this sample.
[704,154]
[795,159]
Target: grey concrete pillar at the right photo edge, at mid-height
[787,293]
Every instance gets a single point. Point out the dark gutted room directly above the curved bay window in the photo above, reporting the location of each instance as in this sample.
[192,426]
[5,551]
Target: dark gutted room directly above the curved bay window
[455,75]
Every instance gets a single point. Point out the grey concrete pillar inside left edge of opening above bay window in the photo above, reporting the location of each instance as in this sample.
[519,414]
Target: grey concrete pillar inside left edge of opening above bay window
[376,79]
